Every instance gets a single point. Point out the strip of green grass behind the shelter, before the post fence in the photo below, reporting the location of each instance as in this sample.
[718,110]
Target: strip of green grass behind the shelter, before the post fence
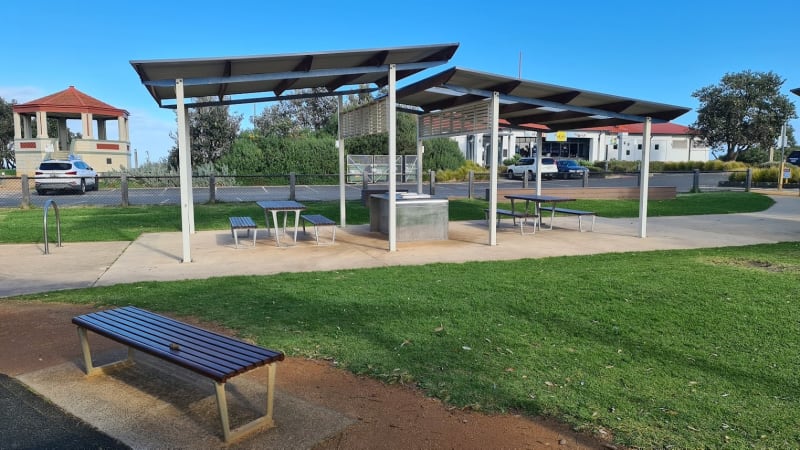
[81,224]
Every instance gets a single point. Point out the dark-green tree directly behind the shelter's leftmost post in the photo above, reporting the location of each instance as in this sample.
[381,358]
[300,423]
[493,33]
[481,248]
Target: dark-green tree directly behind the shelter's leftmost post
[212,131]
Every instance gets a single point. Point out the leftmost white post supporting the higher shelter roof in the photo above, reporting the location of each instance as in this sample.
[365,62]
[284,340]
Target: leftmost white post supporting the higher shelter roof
[184,169]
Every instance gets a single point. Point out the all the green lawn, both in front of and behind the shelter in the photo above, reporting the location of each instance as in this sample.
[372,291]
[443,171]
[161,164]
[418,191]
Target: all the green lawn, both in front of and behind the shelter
[664,349]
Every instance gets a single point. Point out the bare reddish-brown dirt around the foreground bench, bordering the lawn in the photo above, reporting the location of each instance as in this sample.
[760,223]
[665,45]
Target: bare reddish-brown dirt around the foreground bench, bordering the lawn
[38,335]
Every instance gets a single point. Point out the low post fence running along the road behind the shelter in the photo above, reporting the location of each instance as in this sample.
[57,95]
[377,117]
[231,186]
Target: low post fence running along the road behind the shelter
[164,190]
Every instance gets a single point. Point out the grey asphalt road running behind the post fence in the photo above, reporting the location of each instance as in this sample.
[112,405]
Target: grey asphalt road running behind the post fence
[11,197]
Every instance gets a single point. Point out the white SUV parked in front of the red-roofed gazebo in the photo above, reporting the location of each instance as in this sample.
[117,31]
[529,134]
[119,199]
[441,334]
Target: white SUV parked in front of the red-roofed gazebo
[65,175]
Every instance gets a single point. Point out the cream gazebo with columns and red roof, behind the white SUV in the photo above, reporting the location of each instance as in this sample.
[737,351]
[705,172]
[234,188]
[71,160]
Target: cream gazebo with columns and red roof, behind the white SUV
[92,143]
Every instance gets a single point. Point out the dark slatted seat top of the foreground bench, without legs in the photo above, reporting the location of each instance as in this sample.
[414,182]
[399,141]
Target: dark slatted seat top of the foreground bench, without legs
[211,354]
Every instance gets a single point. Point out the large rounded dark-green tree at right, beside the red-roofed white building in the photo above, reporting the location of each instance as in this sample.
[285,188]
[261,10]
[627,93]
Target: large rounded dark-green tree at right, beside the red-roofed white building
[745,110]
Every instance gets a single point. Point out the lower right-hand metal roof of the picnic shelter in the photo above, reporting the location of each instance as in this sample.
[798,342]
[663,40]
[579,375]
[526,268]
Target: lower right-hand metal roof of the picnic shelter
[528,102]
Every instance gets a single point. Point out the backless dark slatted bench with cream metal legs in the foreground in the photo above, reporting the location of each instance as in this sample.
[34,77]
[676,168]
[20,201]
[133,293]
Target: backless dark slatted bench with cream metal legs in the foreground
[206,353]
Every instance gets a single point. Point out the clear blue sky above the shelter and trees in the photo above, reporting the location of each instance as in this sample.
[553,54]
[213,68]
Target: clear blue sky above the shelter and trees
[656,51]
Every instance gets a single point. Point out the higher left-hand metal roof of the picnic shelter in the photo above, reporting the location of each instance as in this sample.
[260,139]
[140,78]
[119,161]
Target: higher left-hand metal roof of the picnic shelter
[230,76]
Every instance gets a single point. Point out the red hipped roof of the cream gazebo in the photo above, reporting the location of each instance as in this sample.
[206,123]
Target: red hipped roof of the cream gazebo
[70,103]
